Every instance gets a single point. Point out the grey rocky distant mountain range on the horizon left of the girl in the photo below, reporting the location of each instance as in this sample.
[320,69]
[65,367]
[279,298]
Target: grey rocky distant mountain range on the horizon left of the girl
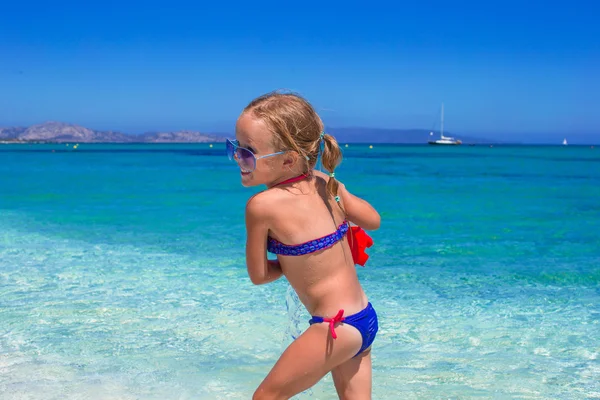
[60,132]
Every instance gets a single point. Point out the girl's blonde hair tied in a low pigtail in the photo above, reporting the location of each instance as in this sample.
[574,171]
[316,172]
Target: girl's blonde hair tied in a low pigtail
[296,126]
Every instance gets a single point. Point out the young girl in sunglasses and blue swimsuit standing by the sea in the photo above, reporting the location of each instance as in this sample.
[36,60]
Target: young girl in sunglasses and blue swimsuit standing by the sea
[303,216]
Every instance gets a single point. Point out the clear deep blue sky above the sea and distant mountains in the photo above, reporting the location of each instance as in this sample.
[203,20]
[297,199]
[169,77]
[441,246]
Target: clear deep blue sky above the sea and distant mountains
[512,69]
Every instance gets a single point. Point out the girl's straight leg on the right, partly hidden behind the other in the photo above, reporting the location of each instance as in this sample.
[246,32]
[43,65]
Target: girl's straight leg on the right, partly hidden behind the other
[352,379]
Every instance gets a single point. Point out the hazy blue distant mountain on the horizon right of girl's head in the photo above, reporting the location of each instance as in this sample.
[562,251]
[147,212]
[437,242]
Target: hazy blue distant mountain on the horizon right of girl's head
[406,136]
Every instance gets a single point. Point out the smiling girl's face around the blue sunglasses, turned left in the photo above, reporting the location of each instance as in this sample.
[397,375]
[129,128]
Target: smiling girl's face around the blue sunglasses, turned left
[253,135]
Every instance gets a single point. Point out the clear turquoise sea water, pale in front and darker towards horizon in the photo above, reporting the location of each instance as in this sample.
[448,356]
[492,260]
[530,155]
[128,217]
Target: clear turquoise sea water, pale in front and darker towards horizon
[122,274]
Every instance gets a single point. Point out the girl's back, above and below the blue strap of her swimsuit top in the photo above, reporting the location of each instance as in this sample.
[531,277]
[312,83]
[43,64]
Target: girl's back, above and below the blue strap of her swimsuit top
[325,280]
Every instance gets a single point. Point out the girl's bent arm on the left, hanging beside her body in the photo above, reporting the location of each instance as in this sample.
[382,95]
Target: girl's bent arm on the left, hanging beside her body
[260,269]
